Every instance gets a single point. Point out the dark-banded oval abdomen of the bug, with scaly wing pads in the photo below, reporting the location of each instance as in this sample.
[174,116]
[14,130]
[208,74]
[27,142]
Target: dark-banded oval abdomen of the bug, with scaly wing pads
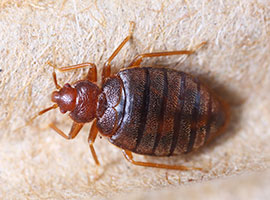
[160,112]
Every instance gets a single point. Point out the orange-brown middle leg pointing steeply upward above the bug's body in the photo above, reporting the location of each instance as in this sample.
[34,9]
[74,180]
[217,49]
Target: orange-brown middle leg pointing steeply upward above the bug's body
[106,72]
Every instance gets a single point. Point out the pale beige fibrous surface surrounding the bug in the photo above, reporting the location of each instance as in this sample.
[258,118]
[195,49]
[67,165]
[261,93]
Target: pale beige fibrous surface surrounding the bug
[36,163]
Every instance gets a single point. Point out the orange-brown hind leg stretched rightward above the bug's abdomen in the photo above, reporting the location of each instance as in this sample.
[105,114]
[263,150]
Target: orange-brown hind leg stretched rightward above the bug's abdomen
[138,59]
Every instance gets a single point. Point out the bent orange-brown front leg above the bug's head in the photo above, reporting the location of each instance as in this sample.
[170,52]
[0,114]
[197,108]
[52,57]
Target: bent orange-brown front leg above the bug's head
[92,73]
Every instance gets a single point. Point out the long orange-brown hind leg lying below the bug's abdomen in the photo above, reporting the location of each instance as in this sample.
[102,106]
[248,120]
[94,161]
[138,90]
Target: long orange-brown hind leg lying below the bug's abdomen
[129,157]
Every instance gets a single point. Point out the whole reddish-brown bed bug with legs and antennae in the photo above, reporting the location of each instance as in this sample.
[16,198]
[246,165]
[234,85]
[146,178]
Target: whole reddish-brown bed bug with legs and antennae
[144,110]
